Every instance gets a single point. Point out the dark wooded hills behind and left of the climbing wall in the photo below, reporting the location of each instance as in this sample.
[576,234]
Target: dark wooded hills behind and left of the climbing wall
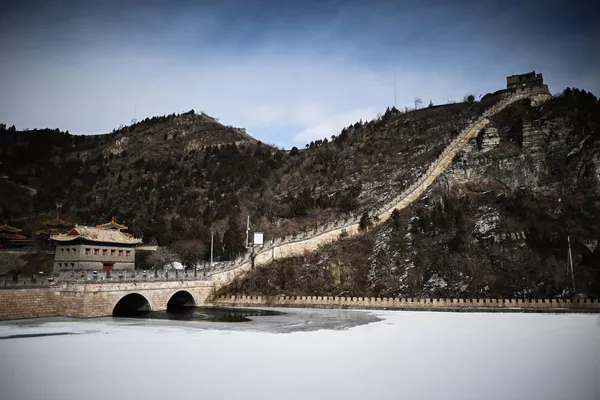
[175,178]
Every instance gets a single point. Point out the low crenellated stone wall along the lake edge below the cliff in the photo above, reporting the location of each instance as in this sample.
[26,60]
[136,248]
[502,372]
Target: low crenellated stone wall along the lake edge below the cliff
[376,303]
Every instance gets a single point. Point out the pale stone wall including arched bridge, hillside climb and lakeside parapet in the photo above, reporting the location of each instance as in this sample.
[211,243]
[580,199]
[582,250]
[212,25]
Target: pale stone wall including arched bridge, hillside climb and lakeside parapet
[85,295]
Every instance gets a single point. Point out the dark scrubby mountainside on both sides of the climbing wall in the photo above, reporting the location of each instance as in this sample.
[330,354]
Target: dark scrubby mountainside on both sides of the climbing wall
[495,223]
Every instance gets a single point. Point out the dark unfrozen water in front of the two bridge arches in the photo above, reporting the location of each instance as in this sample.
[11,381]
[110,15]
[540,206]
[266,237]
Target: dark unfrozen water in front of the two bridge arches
[210,314]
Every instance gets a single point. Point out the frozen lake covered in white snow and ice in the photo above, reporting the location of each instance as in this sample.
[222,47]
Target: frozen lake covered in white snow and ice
[306,354]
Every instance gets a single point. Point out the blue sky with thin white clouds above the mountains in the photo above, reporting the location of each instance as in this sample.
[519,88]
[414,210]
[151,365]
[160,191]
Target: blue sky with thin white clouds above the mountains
[287,71]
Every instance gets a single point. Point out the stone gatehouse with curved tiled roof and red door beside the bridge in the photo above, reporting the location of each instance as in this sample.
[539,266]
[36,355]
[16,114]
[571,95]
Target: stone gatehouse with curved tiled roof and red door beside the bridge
[94,248]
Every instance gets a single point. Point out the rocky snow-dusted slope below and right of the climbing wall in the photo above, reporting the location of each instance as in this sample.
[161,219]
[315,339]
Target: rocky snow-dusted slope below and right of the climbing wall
[494,224]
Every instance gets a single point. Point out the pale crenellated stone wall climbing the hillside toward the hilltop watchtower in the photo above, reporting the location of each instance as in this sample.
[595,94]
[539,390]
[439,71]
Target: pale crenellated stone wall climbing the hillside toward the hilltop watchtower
[322,235]
